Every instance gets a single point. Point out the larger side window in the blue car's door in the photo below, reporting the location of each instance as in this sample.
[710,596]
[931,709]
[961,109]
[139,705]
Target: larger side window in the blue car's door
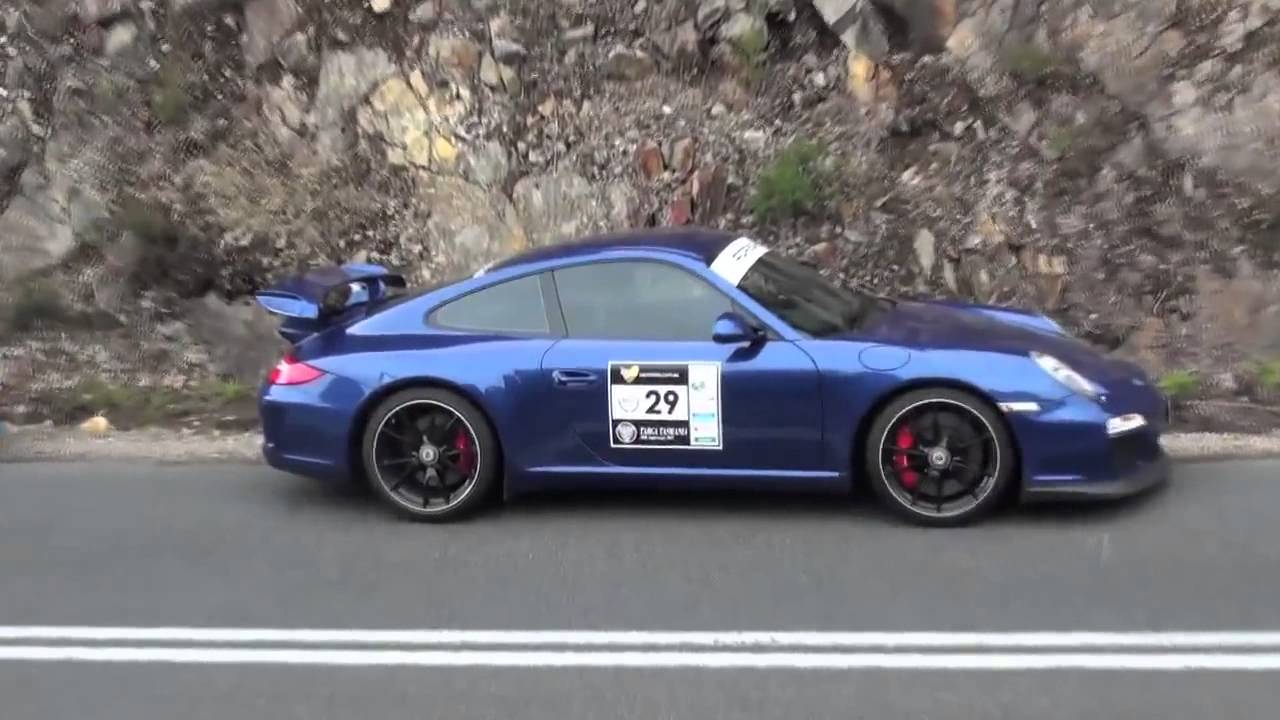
[638,300]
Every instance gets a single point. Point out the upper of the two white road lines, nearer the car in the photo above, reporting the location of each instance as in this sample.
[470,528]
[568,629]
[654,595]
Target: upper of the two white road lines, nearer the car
[755,640]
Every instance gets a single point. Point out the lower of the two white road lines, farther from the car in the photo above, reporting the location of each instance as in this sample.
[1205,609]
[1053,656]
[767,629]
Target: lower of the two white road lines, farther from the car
[655,660]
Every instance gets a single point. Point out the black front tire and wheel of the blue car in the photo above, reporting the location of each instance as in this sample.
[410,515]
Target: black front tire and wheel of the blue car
[954,412]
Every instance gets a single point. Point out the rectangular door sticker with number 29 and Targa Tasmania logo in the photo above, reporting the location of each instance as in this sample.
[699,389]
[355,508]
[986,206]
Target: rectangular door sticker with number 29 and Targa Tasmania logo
[665,405]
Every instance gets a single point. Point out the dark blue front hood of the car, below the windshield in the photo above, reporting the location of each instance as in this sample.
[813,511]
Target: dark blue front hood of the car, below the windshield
[989,329]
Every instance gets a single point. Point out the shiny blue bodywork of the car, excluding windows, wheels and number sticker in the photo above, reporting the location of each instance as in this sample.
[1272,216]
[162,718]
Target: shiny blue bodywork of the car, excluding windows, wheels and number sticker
[794,408]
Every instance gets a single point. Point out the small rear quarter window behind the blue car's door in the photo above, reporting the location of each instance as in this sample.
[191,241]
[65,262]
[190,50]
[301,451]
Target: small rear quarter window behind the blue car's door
[514,307]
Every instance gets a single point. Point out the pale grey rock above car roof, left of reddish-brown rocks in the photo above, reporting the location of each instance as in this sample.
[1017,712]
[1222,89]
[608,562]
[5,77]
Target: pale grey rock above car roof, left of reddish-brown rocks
[557,208]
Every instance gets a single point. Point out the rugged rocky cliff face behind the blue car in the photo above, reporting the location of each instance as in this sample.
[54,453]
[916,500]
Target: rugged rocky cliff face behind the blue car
[1108,162]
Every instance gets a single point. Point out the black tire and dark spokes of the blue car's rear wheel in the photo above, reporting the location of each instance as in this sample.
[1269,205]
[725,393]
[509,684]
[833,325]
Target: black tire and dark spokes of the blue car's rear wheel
[473,493]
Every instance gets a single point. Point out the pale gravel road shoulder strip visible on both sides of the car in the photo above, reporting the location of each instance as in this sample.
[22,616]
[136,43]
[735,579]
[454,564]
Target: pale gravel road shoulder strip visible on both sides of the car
[189,446]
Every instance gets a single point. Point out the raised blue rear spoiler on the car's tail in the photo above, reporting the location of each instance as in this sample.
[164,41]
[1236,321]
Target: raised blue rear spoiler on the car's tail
[312,302]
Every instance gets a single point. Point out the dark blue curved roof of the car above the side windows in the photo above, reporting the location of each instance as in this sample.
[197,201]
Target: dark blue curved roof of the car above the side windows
[693,243]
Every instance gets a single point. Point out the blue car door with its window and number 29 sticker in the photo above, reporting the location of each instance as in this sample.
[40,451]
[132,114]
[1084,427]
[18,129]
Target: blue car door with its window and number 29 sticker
[641,384]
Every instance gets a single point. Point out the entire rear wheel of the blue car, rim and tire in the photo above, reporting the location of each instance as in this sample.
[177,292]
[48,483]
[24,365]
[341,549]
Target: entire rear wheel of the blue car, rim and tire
[431,455]
